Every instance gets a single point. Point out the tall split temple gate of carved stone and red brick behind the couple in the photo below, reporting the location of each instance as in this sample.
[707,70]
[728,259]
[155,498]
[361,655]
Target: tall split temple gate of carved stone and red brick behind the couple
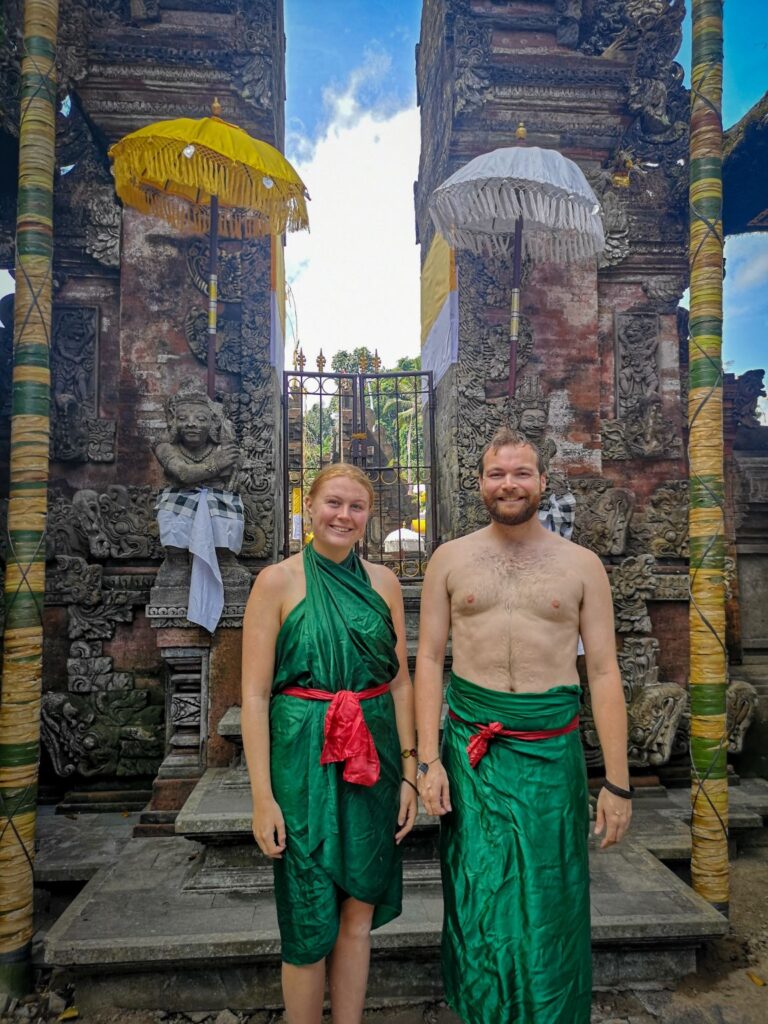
[141,708]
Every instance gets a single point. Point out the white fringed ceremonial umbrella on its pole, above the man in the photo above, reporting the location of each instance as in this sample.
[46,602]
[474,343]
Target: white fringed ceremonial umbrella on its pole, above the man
[516,199]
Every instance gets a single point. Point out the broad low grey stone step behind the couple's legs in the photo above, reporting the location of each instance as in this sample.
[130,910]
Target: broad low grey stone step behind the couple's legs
[137,938]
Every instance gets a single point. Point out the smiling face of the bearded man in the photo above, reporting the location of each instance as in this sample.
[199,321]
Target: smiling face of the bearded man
[511,485]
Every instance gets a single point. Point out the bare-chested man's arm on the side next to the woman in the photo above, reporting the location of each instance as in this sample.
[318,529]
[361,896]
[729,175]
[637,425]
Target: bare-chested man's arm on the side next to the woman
[435,623]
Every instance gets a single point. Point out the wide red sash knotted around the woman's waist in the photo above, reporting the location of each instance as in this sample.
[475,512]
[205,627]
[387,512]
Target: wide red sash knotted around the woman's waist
[348,737]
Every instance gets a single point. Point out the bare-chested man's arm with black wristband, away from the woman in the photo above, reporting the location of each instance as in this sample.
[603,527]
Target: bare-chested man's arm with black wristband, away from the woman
[596,626]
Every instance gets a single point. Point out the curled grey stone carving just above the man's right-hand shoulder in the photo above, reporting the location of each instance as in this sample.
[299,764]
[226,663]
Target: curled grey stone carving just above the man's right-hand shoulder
[604,516]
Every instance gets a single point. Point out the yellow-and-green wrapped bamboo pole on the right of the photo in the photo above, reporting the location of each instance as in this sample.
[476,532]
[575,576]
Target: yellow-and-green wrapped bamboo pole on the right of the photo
[708,656]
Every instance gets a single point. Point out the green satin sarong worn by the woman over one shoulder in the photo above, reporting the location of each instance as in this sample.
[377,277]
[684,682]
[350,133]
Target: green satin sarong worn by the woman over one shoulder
[340,836]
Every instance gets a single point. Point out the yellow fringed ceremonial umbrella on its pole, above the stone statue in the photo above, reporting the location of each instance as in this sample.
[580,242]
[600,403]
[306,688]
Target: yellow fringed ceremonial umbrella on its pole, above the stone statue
[207,176]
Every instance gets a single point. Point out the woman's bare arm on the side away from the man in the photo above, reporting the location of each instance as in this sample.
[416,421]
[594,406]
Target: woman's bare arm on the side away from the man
[261,627]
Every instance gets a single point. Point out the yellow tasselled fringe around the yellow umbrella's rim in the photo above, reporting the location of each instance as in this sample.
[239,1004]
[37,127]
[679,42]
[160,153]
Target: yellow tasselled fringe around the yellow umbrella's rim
[208,173]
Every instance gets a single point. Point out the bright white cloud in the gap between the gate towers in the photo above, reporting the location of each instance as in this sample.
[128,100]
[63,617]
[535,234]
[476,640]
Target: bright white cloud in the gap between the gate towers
[356,277]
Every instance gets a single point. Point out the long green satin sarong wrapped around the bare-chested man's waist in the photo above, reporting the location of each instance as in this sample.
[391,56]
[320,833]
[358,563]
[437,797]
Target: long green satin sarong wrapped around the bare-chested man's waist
[516,872]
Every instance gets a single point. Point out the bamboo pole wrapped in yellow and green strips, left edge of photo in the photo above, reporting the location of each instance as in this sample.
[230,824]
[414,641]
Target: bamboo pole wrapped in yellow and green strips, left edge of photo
[25,577]
